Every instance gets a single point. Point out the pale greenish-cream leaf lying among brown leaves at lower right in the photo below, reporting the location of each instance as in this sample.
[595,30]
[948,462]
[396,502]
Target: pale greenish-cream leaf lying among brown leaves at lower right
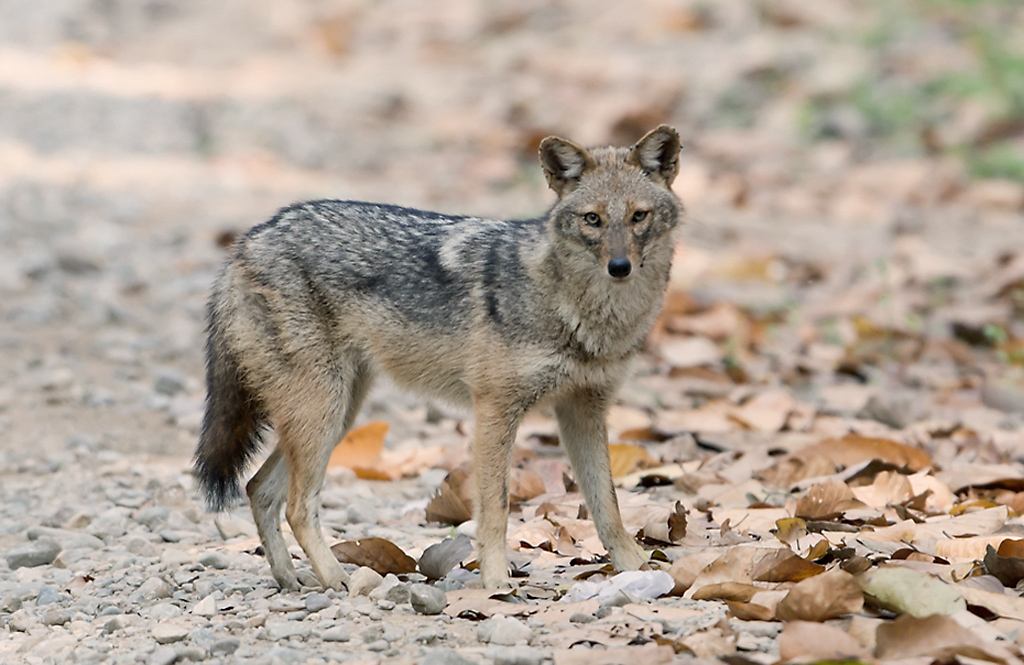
[905,591]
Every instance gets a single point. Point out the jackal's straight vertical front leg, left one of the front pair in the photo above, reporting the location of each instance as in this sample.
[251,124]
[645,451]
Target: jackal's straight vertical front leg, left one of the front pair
[496,428]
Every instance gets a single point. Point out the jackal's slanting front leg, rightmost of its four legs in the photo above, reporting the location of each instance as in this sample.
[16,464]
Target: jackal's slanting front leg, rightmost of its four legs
[584,432]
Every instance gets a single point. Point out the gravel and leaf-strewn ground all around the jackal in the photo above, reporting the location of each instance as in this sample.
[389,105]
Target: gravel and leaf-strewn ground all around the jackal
[851,271]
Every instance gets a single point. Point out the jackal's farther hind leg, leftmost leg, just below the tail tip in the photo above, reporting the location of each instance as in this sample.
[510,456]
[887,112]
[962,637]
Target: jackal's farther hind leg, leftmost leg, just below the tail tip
[267,496]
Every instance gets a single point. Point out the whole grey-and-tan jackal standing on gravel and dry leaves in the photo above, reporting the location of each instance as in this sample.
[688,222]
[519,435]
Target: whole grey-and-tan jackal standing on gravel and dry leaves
[501,316]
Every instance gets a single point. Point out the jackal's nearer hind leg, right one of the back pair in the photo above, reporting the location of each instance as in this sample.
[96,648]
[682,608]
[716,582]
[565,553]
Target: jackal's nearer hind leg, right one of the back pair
[308,440]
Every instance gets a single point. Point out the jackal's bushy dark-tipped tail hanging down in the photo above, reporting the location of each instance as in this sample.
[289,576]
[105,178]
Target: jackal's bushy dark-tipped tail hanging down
[233,427]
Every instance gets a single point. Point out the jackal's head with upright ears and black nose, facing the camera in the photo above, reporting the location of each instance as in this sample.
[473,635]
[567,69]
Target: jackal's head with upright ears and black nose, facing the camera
[614,203]
